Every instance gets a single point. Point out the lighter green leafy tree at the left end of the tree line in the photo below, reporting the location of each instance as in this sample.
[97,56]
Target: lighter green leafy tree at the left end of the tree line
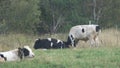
[20,15]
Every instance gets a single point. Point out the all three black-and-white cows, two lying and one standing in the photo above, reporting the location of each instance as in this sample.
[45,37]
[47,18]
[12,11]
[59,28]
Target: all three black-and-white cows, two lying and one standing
[79,32]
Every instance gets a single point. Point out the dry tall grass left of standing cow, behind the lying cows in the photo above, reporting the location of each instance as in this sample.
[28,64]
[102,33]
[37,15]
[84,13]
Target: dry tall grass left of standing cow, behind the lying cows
[12,41]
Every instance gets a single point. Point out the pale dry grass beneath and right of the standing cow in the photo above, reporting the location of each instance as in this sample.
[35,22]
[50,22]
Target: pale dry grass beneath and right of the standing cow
[107,38]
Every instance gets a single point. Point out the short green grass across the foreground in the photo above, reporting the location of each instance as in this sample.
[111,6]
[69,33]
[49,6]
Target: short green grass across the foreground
[70,58]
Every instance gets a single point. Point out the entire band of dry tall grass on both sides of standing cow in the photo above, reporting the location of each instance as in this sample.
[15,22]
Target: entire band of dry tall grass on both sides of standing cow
[108,38]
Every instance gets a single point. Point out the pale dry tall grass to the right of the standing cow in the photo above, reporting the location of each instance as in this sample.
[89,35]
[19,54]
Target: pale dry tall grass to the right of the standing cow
[110,37]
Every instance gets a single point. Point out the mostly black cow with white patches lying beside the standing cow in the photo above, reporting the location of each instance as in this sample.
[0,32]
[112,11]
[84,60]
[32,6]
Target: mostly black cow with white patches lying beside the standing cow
[49,43]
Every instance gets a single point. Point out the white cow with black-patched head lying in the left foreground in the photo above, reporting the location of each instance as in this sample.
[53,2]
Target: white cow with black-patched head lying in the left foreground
[17,54]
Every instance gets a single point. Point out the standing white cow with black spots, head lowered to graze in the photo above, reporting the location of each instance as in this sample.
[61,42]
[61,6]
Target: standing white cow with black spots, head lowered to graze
[85,33]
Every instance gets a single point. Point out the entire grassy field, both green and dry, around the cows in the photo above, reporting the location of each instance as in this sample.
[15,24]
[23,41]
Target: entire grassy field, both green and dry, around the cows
[107,55]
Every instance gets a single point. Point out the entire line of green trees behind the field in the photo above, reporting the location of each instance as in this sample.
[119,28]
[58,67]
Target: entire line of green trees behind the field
[52,16]
